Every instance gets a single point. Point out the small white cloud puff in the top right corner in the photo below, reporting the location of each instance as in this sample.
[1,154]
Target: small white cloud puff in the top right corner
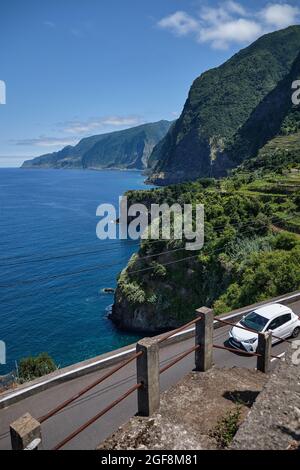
[280,15]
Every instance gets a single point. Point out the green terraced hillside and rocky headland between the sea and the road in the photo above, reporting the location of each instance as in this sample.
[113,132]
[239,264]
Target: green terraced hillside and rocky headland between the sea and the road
[251,251]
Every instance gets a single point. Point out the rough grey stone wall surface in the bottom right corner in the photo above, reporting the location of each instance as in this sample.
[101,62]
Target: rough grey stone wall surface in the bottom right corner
[274,420]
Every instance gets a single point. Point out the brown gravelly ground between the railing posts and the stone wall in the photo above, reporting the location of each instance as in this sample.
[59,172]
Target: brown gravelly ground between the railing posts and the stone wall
[190,411]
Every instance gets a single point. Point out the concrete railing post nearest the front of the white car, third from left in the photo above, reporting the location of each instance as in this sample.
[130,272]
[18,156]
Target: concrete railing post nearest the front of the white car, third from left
[204,338]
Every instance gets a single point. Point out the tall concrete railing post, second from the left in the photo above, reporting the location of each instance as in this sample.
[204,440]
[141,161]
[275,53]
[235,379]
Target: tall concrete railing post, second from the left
[148,375]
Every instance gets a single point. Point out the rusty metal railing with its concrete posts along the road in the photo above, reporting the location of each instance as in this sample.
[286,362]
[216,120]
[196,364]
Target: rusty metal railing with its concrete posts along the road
[27,429]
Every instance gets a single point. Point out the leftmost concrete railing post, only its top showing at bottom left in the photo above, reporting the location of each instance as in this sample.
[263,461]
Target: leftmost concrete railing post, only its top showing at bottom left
[24,431]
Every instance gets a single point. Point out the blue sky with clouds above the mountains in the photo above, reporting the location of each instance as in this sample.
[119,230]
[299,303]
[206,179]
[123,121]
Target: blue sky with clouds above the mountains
[74,68]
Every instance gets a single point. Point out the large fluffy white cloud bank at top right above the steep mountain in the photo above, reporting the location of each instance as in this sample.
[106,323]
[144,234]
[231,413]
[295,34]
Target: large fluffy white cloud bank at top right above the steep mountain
[230,23]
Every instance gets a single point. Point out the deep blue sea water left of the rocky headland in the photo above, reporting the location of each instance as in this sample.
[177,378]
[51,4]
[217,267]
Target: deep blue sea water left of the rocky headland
[53,267]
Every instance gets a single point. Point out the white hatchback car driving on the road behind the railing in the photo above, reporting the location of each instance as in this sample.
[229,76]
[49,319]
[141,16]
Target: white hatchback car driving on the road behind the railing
[279,319]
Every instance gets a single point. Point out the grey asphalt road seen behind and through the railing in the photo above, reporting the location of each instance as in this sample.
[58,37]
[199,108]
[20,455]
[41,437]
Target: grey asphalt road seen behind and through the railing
[58,427]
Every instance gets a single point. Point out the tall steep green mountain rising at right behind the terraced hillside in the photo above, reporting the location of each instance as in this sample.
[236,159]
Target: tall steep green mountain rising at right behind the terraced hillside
[221,115]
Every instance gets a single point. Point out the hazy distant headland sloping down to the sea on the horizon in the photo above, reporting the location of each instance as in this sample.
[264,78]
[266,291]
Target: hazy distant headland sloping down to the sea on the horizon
[126,149]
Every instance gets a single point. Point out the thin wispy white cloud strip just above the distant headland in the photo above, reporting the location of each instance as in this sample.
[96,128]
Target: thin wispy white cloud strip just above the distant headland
[99,124]
